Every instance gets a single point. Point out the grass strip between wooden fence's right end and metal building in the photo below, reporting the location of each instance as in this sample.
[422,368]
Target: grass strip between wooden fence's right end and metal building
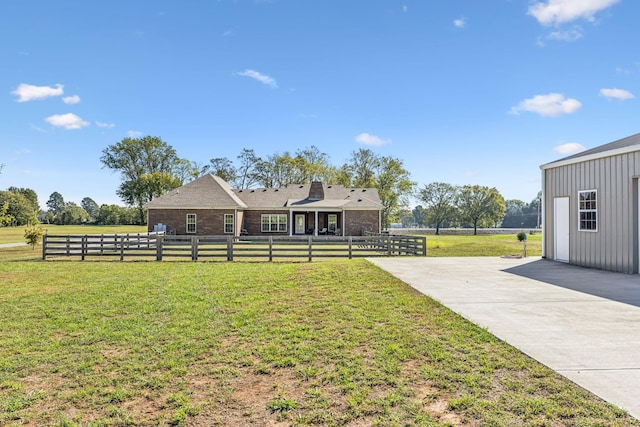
[482,245]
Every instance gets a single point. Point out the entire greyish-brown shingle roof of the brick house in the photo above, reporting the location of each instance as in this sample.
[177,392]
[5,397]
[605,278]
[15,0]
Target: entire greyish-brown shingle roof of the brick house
[211,191]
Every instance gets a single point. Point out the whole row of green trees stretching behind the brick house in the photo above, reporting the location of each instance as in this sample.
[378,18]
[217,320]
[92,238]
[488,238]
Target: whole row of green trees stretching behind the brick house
[150,167]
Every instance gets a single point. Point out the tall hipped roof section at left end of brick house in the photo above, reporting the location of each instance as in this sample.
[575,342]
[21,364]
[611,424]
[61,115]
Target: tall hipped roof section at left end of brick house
[207,191]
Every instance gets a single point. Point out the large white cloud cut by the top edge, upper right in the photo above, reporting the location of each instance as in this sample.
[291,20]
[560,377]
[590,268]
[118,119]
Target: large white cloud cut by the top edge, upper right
[553,12]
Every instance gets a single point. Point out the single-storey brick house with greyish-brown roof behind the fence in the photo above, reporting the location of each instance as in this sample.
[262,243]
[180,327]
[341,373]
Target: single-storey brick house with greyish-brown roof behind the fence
[209,206]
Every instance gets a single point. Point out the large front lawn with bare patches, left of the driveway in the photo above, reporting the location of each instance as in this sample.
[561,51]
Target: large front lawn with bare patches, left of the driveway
[330,343]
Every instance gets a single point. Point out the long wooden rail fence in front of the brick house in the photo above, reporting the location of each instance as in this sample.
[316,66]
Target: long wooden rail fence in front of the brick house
[160,246]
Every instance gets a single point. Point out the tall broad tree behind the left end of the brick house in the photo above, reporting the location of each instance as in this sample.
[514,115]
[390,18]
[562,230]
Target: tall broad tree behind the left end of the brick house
[142,163]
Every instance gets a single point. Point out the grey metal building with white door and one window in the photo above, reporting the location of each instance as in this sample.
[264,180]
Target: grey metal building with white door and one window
[590,207]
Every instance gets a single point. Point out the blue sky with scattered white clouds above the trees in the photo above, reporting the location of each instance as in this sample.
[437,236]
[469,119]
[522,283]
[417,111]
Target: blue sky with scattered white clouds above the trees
[463,91]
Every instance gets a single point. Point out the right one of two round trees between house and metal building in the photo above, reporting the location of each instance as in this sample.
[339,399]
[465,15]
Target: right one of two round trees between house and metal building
[477,203]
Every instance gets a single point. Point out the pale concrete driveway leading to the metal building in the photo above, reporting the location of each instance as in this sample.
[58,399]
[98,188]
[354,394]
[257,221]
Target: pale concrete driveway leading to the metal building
[582,323]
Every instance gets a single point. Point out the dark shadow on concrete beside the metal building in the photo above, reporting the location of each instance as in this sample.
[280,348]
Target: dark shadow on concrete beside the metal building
[624,288]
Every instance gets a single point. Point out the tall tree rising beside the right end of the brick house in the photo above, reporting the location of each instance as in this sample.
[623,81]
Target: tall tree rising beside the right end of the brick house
[394,188]
